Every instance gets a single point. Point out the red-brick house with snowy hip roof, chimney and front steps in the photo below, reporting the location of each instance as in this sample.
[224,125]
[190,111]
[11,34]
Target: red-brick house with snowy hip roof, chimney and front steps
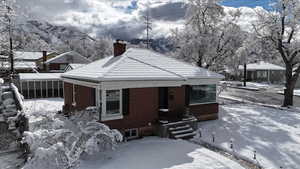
[137,88]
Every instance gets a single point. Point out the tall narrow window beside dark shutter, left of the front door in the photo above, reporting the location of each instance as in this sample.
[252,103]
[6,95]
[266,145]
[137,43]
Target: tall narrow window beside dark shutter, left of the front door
[112,102]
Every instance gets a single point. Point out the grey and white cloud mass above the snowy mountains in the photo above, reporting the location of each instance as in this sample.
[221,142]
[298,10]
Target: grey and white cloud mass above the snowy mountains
[120,19]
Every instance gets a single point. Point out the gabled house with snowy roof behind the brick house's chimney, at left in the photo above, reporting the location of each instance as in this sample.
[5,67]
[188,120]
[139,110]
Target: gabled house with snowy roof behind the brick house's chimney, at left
[60,62]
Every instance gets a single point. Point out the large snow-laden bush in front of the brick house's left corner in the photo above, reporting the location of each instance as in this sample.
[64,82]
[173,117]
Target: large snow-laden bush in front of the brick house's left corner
[58,142]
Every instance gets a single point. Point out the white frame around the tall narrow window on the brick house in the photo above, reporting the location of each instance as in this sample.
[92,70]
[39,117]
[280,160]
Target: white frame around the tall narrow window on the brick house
[104,115]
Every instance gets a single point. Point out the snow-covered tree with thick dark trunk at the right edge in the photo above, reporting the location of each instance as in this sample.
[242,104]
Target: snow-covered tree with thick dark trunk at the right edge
[279,30]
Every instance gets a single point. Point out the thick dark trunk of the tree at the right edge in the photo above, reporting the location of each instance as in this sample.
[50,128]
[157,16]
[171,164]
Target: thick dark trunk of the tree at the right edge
[290,85]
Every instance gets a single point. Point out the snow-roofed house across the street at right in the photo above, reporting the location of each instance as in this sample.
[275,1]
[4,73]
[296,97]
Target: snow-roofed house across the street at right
[263,72]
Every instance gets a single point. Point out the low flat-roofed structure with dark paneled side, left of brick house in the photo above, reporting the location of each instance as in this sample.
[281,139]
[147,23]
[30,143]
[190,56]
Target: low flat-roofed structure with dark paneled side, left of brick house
[40,85]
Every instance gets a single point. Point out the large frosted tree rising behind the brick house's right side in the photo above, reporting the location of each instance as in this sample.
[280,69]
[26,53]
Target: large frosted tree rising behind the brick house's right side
[210,35]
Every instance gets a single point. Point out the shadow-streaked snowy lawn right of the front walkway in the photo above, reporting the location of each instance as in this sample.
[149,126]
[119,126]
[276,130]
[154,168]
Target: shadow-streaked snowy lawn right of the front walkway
[273,133]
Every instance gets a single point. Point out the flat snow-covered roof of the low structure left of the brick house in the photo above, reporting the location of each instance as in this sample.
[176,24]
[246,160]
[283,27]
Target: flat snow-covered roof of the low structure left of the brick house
[39,76]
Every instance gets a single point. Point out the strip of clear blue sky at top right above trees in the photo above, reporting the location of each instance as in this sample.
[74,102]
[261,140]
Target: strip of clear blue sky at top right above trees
[249,3]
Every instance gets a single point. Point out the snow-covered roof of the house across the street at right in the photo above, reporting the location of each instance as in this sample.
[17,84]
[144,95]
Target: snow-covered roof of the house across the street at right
[261,66]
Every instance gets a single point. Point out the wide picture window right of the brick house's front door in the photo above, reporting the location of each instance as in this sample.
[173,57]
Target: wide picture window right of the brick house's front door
[202,94]
